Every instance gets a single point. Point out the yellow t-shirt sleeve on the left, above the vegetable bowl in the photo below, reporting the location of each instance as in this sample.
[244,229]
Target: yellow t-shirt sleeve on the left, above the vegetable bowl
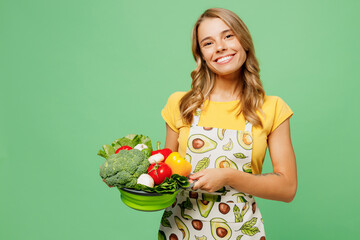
[171,111]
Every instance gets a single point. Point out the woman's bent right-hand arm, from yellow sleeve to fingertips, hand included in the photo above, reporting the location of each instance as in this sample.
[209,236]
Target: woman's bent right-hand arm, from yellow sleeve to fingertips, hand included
[279,185]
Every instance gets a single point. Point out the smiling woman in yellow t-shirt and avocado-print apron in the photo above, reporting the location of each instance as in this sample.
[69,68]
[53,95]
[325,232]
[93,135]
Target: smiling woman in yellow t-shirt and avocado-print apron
[223,126]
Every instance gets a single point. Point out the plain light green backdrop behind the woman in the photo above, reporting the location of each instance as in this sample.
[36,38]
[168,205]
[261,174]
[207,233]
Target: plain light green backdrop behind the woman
[77,74]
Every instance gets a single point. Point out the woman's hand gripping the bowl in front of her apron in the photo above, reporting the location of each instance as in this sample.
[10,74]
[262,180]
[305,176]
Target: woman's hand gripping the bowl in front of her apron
[210,180]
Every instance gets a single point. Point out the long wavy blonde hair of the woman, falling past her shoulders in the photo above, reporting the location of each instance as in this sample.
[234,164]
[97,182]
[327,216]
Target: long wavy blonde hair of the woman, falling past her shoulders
[252,92]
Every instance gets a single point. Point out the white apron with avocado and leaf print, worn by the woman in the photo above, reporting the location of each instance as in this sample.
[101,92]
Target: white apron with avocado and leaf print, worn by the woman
[225,214]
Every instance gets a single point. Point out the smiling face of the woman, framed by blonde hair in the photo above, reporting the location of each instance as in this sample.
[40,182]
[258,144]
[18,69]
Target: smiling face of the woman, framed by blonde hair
[220,48]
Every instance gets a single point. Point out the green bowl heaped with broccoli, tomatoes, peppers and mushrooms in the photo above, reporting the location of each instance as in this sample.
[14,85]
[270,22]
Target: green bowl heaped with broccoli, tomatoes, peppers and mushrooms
[147,180]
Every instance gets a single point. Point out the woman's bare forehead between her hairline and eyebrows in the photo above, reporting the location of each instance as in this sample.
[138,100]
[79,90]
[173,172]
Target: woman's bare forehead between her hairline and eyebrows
[211,27]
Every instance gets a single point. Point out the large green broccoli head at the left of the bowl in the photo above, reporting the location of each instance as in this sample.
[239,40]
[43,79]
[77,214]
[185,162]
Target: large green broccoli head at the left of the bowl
[124,168]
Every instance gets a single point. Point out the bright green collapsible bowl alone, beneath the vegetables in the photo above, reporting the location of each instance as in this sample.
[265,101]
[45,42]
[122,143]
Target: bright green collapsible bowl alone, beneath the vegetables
[145,201]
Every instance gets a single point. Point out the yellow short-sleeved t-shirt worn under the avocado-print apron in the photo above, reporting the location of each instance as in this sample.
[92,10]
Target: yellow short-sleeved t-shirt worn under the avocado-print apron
[221,115]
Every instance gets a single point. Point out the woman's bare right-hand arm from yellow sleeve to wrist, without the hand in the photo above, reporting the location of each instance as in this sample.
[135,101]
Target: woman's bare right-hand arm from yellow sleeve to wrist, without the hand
[281,184]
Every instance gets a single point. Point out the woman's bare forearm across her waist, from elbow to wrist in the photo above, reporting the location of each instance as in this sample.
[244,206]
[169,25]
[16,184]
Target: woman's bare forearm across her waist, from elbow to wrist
[274,186]
